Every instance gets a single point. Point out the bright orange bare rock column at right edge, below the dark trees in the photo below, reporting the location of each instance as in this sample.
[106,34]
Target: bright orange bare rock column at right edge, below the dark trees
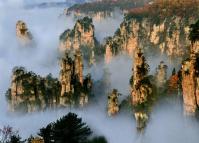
[190,84]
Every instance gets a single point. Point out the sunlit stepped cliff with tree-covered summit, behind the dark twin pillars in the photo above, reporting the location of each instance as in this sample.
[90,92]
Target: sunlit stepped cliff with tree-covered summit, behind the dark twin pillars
[82,35]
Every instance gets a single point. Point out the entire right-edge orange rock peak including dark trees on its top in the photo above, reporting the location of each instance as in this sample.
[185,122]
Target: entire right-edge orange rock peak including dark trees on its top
[190,74]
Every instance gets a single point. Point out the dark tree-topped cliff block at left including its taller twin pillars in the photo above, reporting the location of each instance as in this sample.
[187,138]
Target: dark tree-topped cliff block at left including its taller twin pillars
[30,92]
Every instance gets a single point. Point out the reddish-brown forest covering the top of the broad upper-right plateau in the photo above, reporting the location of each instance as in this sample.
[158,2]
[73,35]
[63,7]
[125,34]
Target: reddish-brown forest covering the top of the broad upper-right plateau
[160,10]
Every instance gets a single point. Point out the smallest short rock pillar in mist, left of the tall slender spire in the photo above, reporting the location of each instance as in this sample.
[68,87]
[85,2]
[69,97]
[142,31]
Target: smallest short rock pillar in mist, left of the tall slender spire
[113,103]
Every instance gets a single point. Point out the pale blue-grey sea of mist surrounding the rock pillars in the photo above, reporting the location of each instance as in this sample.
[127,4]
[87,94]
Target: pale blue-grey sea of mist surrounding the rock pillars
[167,123]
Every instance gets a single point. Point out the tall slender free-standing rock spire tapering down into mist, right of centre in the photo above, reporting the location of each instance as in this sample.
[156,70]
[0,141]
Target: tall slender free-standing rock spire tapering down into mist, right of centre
[141,89]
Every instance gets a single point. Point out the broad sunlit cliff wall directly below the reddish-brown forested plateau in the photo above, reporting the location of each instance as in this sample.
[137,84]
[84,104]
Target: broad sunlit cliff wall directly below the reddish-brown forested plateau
[169,36]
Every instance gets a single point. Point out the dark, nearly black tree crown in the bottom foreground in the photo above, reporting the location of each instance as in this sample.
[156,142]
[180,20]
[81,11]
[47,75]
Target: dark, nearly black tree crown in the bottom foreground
[68,129]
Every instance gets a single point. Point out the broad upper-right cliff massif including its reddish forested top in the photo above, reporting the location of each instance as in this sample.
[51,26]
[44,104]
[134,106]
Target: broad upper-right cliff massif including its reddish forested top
[167,35]
